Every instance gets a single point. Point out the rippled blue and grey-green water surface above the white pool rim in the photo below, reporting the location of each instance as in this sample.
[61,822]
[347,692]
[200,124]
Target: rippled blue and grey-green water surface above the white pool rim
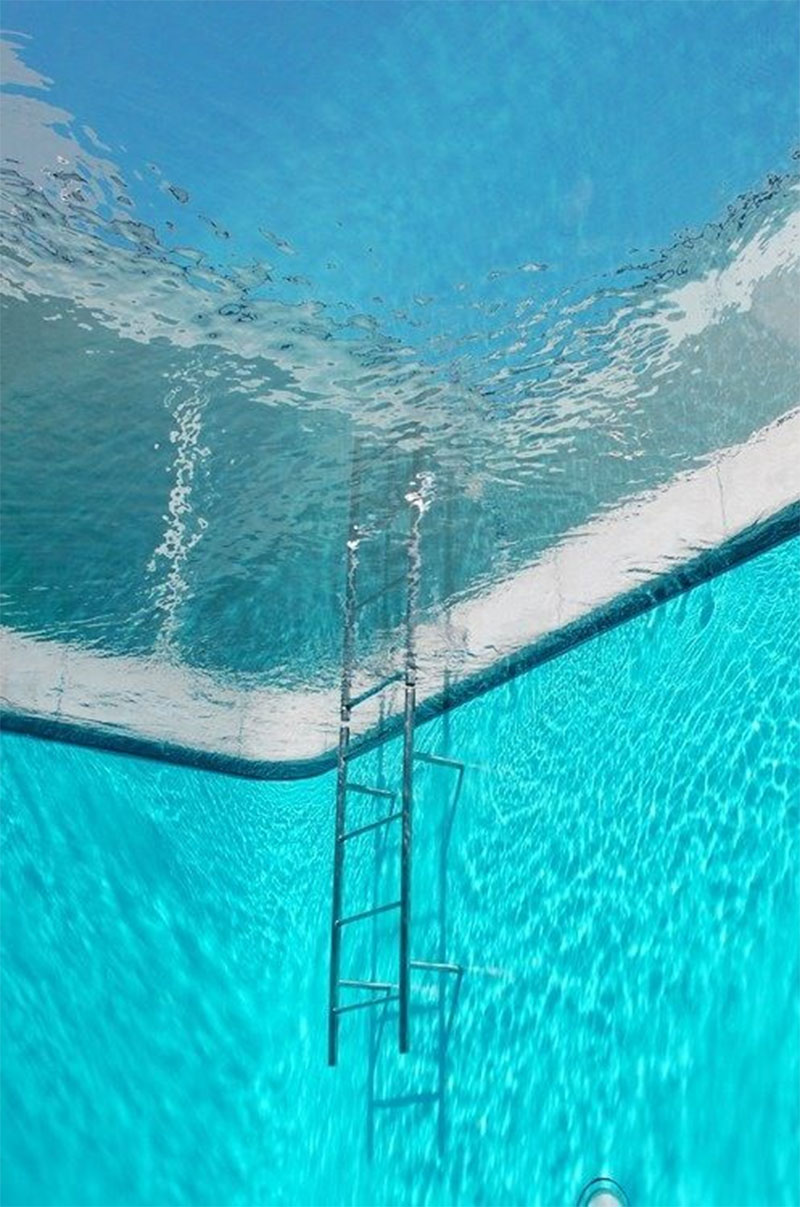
[546,254]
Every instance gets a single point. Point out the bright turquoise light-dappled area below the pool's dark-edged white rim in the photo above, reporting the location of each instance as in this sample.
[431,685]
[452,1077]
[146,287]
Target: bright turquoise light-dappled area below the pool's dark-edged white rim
[622,887]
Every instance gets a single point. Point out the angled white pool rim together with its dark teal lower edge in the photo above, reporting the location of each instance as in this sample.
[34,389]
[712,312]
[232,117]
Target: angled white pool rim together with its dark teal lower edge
[653,549]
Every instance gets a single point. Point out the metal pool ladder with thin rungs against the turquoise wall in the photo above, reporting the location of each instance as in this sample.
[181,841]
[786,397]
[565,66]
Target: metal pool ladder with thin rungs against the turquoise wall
[379,994]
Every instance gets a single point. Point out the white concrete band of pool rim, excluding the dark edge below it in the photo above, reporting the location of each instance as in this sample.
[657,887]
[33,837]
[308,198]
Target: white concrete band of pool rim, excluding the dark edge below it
[644,540]
